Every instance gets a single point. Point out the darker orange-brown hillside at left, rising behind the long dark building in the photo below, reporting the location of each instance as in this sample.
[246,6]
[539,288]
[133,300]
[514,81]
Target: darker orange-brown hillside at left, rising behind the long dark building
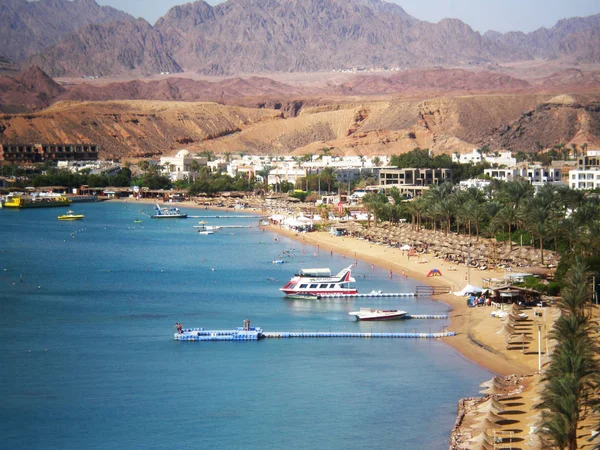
[132,129]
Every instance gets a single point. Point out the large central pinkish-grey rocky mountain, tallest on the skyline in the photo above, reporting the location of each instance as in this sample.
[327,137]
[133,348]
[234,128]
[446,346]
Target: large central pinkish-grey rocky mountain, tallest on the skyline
[309,35]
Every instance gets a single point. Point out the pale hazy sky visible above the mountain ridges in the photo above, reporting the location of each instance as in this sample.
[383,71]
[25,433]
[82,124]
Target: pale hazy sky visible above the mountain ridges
[481,15]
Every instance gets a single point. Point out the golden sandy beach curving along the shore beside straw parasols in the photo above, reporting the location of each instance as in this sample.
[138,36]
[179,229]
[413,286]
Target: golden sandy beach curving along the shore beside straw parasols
[477,336]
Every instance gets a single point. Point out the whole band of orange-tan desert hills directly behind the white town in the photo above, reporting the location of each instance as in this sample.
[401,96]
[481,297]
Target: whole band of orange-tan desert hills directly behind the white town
[142,128]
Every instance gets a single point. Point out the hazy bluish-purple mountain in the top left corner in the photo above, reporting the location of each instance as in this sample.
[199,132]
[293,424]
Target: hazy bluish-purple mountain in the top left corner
[30,26]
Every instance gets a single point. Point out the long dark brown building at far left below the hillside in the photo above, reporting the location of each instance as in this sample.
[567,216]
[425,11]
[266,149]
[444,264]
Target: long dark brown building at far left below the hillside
[37,153]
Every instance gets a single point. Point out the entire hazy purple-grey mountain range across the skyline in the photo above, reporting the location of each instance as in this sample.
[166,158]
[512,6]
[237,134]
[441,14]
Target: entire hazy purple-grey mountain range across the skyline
[251,36]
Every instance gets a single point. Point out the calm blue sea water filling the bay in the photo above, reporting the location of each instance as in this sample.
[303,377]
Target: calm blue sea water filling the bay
[88,360]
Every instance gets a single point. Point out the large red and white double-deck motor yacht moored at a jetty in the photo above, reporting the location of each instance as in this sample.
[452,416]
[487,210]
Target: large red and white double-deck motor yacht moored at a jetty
[311,283]
